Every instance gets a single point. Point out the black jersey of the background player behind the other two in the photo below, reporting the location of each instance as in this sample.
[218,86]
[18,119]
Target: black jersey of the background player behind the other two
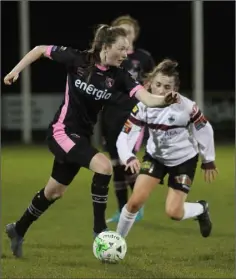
[138,63]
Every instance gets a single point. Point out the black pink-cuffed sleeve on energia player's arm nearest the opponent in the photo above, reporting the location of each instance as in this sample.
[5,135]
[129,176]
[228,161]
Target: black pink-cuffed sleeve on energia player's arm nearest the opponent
[128,84]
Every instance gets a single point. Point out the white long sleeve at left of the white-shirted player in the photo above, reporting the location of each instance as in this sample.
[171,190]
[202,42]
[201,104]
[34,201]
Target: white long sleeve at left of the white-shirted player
[130,133]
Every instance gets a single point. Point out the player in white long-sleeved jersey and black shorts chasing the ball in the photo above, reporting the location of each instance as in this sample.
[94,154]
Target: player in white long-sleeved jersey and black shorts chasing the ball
[178,134]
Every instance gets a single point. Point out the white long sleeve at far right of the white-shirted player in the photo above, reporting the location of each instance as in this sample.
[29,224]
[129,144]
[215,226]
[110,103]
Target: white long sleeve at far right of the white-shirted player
[203,133]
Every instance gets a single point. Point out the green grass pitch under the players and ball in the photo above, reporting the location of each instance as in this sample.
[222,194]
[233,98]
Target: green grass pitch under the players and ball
[59,245]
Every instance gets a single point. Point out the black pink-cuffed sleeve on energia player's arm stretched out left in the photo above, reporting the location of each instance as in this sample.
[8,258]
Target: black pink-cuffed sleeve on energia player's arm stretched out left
[61,54]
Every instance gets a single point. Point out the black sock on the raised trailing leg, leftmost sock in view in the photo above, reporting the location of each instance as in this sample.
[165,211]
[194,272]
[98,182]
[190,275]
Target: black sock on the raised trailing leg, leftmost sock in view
[38,205]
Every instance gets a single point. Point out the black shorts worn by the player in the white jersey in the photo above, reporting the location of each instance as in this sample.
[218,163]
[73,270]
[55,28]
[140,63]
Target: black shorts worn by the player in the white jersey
[180,176]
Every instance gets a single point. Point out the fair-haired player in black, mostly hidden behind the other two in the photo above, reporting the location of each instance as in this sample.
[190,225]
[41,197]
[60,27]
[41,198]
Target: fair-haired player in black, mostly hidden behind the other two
[139,62]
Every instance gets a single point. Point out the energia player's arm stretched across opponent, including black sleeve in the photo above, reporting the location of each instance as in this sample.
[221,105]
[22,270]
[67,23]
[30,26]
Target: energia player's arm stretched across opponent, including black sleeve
[128,84]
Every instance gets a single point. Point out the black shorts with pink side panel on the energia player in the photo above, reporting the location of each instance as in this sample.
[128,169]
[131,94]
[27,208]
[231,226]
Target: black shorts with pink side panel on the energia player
[71,152]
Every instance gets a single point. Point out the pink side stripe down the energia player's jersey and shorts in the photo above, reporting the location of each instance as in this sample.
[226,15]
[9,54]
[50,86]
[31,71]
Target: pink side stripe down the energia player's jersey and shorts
[59,128]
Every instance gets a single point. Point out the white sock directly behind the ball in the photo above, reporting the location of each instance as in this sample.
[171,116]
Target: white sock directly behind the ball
[126,222]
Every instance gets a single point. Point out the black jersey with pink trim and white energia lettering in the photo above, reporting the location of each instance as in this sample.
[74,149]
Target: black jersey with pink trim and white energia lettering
[87,91]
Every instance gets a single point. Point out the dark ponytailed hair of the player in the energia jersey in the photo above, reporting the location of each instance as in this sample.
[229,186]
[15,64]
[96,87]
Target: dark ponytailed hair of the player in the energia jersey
[104,35]
